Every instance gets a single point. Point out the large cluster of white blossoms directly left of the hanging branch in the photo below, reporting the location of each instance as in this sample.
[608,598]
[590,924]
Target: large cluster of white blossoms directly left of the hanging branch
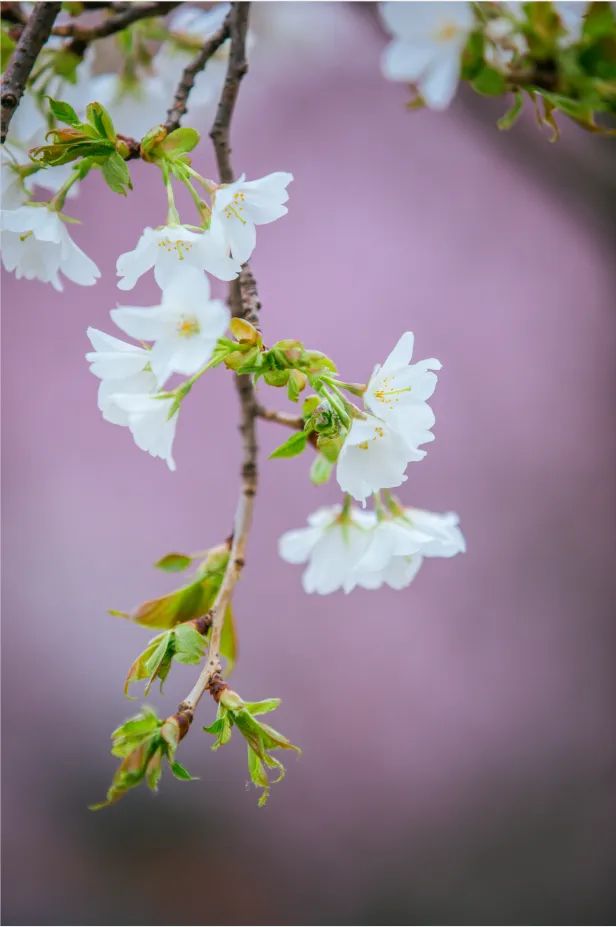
[182,331]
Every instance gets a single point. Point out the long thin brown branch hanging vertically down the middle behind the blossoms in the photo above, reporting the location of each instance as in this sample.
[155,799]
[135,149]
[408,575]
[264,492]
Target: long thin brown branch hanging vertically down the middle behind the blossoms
[245,304]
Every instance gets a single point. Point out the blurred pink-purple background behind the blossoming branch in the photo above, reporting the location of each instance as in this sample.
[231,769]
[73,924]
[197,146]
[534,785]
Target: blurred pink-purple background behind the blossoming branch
[458,737]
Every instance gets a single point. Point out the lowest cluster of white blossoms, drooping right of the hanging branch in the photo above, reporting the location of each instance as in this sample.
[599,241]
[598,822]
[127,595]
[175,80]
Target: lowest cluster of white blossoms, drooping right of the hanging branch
[346,547]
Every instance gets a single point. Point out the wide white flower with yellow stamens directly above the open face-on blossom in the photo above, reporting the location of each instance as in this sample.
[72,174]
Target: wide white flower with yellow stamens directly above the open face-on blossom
[169,249]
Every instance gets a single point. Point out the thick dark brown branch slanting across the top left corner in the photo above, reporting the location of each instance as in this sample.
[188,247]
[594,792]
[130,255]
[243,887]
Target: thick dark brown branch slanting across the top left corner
[36,32]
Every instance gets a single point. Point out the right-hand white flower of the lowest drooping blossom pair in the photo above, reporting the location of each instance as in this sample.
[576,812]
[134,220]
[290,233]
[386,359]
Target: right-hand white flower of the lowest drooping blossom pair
[399,544]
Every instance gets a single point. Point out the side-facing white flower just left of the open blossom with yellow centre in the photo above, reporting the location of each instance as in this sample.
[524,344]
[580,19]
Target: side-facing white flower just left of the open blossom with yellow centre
[121,368]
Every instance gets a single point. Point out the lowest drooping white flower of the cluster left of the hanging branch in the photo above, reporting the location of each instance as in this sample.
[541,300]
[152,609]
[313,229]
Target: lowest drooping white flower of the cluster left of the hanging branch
[150,421]
